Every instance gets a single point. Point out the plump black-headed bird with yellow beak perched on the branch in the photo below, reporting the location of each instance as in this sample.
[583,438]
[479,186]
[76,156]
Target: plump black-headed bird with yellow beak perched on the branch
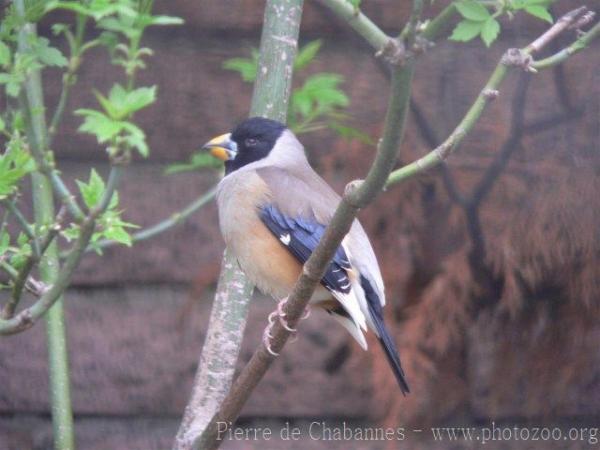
[273,210]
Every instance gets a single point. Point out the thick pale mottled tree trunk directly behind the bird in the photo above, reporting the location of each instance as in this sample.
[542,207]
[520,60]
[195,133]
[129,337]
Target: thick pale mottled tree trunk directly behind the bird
[230,310]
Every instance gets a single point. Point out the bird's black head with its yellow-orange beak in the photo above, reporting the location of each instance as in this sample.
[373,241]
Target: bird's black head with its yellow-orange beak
[252,140]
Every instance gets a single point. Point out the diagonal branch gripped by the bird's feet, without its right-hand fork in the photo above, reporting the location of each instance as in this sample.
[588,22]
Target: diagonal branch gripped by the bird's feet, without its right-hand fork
[357,195]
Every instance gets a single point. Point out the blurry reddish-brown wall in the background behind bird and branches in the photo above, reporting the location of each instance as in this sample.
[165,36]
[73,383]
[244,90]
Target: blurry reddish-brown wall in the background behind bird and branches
[508,332]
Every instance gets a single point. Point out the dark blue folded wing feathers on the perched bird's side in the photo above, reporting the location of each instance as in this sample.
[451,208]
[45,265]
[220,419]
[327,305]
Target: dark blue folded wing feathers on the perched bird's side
[301,236]
